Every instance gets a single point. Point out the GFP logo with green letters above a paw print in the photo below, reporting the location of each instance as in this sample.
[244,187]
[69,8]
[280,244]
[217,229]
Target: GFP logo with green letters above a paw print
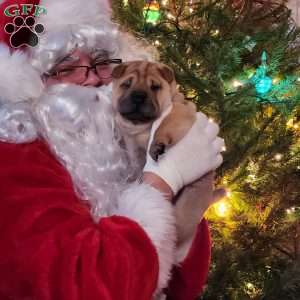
[23,29]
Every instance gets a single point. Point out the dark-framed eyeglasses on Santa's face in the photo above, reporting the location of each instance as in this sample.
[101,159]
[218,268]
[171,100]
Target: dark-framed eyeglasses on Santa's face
[79,74]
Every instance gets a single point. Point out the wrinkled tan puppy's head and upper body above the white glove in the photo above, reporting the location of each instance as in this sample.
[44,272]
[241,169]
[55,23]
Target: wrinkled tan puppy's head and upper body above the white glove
[142,91]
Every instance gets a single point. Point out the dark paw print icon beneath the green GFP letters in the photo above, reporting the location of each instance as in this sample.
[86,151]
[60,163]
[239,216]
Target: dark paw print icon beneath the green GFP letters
[24,32]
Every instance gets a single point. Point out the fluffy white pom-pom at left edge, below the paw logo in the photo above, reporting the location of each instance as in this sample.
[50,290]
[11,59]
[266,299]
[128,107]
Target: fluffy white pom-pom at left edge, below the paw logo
[19,81]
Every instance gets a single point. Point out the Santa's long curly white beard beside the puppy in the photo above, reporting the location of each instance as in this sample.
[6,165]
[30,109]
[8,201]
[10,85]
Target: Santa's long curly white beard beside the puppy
[78,124]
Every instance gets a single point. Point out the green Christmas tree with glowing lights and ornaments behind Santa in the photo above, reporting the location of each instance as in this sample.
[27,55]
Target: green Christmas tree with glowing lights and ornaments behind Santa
[238,61]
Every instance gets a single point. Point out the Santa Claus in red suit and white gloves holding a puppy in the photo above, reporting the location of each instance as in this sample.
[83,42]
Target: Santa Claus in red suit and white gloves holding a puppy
[72,225]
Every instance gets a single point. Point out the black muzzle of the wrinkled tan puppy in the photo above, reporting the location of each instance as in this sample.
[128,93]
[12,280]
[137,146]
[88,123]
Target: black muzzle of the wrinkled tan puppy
[137,107]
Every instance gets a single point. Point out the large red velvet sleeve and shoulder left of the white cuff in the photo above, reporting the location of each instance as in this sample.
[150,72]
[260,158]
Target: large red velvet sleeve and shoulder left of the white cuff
[50,248]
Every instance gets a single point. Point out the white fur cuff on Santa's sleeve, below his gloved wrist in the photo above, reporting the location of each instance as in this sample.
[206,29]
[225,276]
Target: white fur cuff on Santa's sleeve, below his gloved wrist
[147,206]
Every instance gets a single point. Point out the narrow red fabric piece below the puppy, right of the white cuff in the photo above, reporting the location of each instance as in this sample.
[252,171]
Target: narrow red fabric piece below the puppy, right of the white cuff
[189,279]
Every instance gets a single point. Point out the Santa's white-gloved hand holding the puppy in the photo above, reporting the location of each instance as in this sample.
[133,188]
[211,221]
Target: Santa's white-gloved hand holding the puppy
[192,157]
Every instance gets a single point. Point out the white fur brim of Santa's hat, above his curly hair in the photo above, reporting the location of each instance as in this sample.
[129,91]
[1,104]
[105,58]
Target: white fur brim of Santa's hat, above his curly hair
[66,12]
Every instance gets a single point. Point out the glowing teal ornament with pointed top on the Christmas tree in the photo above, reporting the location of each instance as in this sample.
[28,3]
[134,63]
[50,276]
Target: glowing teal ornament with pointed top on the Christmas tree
[263,83]
